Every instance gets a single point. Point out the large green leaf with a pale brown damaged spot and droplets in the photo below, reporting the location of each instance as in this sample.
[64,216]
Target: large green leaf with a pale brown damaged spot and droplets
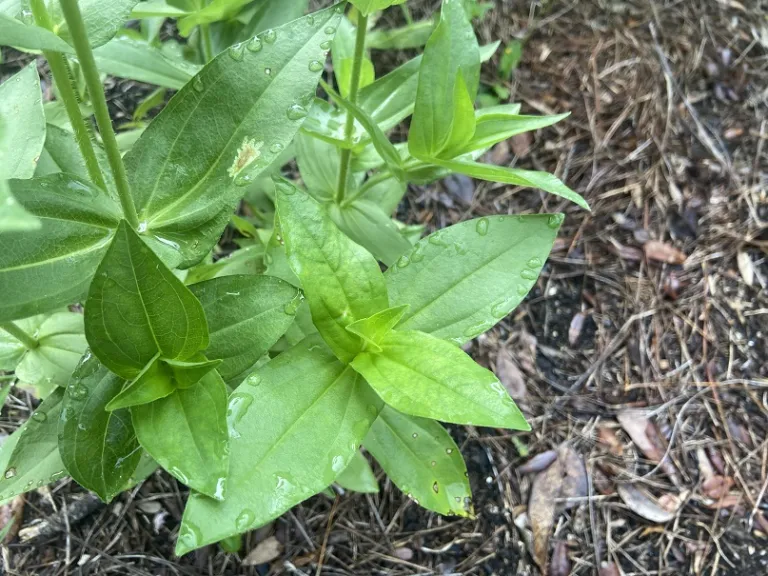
[187,198]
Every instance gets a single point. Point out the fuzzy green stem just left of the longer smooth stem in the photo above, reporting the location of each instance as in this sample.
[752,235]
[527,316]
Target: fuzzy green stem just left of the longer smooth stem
[62,78]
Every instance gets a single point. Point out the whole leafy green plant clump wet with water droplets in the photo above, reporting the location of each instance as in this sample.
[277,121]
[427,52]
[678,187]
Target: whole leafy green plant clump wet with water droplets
[254,379]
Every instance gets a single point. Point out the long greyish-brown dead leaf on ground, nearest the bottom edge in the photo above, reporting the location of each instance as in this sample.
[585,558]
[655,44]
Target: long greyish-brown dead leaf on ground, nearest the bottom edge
[565,478]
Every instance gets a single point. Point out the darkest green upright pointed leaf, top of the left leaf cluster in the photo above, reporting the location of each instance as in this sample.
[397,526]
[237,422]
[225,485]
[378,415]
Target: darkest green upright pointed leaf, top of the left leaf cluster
[136,308]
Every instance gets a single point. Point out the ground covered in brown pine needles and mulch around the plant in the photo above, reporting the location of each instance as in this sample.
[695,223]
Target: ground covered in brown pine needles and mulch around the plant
[655,300]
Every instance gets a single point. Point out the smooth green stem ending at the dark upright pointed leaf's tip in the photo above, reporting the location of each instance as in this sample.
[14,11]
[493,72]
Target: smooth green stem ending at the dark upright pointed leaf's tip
[74,20]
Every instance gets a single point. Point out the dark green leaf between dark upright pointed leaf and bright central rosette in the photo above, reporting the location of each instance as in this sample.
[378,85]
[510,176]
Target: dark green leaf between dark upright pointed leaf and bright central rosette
[246,316]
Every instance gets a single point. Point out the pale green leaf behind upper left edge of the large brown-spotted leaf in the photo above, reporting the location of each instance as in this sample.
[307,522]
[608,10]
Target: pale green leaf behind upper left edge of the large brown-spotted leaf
[128,57]
